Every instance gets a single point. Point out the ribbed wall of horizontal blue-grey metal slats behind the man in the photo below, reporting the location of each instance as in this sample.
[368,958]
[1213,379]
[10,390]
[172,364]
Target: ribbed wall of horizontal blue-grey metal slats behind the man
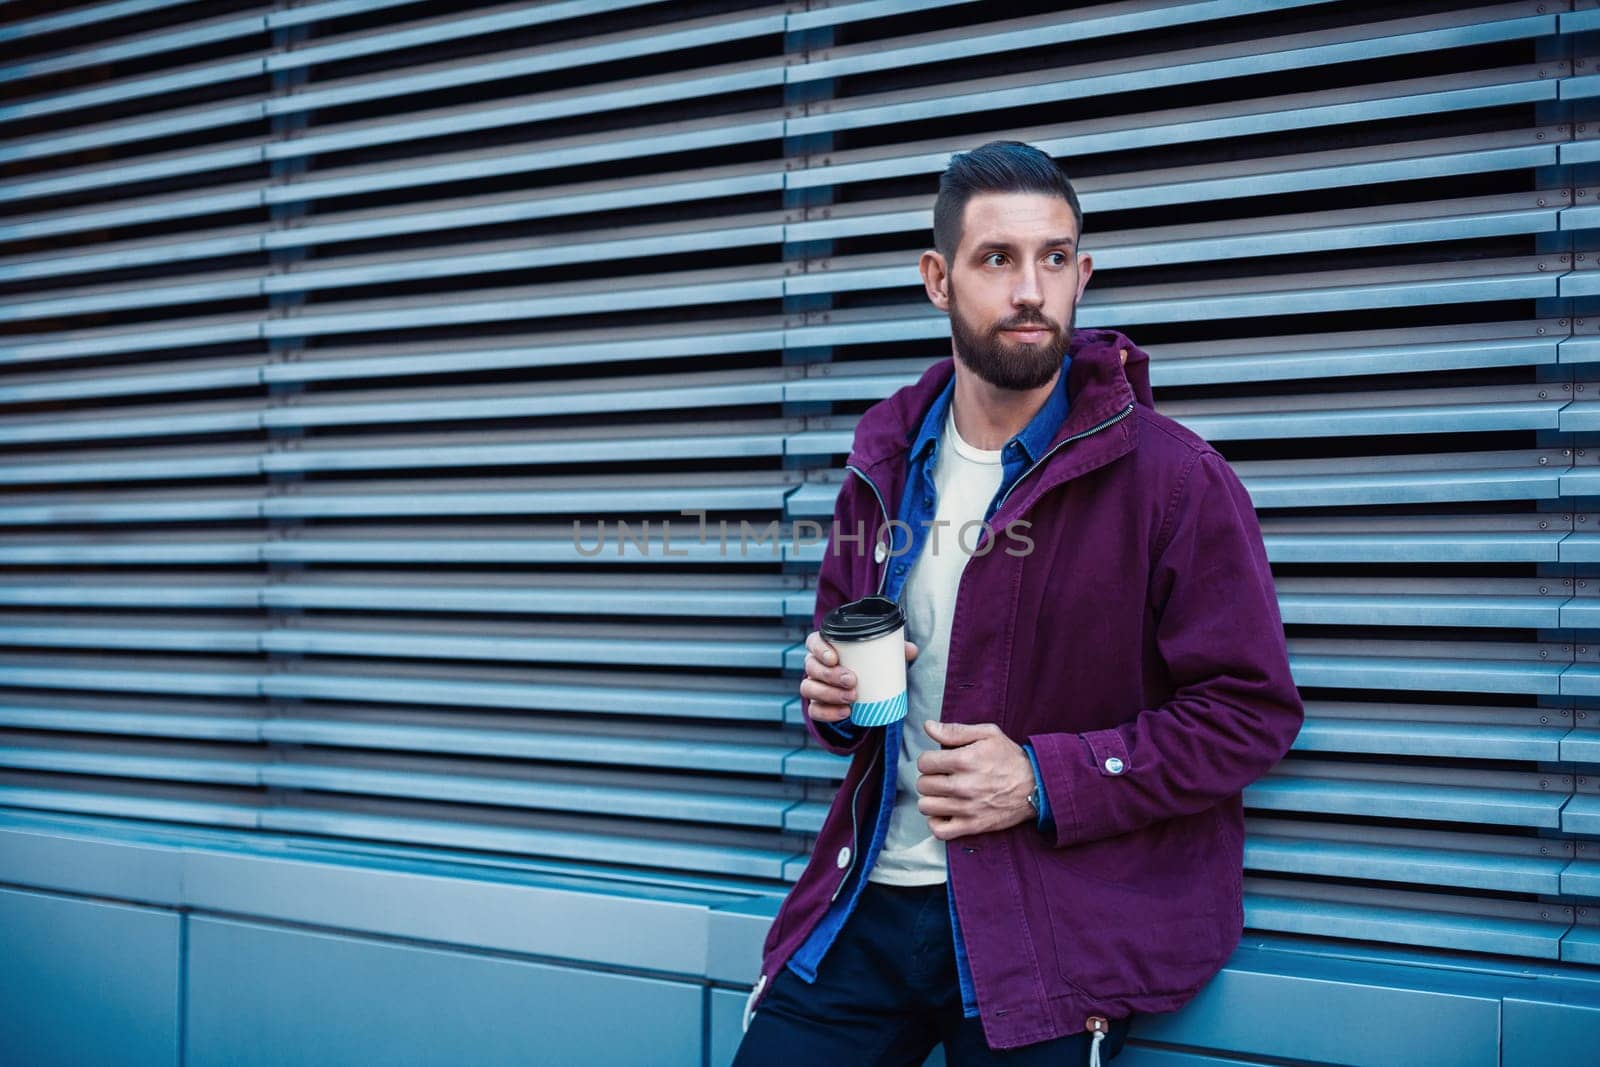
[326,324]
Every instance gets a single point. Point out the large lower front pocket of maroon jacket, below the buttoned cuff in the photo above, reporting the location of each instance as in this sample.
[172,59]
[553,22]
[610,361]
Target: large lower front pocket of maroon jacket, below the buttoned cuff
[1146,913]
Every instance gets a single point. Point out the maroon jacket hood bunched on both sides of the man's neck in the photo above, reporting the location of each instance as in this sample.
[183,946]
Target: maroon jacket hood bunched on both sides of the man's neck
[1100,385]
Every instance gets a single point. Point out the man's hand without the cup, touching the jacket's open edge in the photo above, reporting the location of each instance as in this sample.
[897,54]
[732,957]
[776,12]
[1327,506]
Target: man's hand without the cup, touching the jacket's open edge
[978,781]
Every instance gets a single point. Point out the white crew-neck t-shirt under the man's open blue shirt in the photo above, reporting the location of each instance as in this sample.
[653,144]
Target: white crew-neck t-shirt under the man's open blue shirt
[966,482]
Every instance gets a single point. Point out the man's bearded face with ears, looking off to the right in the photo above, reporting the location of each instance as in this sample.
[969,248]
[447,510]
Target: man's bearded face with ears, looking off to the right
[1020,281]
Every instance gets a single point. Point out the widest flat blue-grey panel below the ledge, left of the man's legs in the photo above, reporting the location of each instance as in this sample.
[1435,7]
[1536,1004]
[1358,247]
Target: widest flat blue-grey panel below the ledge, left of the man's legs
[263,997]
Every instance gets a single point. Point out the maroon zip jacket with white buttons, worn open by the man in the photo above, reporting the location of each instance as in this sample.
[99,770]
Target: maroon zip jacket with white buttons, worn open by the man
[1138,645]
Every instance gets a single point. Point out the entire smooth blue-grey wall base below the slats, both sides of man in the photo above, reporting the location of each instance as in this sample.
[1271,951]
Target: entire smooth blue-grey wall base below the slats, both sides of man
[196,975]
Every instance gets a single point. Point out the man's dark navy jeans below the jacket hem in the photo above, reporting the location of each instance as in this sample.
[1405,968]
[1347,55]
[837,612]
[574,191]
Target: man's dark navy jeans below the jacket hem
[887,993]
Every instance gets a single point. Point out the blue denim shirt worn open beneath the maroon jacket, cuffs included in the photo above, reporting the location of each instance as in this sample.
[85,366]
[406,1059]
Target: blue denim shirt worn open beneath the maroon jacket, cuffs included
[918,510]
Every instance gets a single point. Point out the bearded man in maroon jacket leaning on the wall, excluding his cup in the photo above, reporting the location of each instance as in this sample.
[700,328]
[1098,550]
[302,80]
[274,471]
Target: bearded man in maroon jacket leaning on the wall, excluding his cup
[1054,839]
